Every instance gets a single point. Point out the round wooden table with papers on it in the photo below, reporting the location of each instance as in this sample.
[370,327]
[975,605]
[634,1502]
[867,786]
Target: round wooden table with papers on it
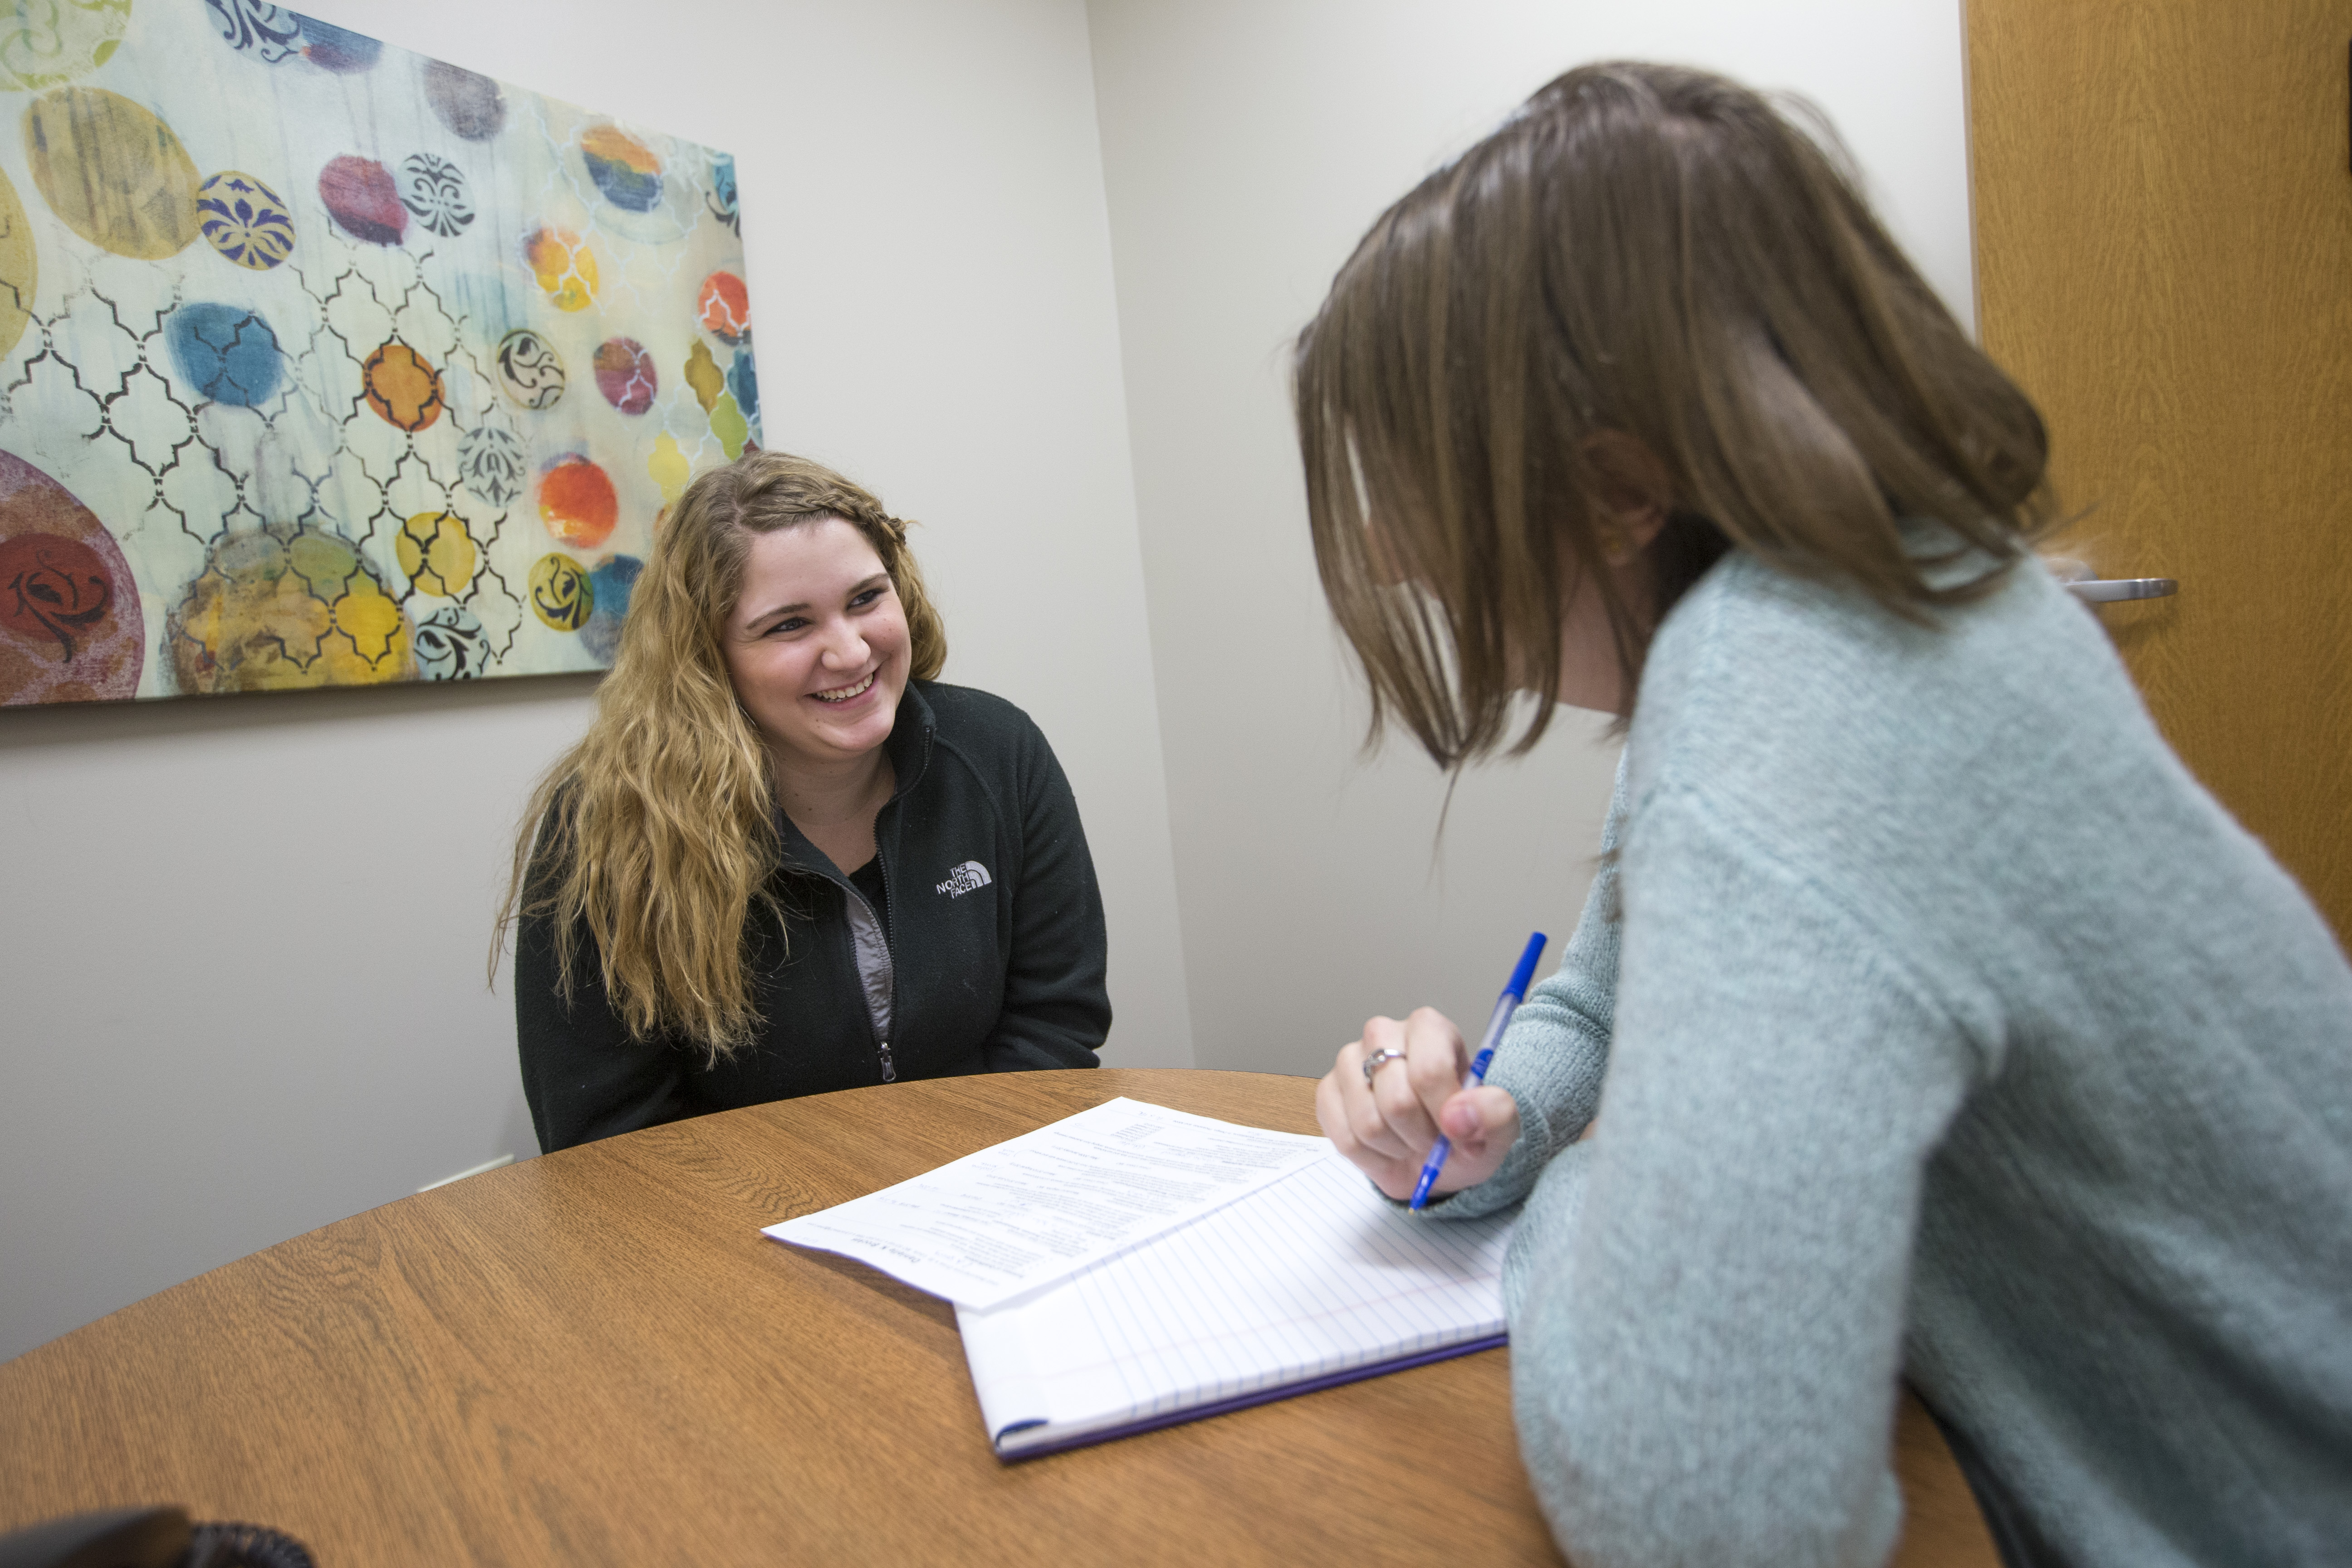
[596,1358]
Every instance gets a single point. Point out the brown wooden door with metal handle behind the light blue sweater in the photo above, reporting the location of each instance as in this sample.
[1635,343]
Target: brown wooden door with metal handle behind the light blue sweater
[2165,262]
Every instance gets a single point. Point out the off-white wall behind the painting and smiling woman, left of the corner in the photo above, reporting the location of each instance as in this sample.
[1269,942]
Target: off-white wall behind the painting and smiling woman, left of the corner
[241,942]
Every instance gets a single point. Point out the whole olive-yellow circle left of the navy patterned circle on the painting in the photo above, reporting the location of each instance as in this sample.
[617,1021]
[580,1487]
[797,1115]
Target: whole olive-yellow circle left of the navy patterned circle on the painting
[112,173]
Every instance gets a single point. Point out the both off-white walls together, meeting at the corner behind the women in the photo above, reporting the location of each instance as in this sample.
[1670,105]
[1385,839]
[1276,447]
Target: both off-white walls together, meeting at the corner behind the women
[241,942]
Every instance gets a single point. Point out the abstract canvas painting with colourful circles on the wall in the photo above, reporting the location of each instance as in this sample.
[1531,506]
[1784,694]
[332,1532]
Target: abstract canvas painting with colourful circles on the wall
[326,363]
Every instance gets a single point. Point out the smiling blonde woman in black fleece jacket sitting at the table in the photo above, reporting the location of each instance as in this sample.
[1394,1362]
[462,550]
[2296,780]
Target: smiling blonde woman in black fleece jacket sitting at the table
[787,859]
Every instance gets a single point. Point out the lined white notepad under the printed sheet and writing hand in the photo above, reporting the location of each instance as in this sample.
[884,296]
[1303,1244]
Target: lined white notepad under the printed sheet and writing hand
[1302,1285]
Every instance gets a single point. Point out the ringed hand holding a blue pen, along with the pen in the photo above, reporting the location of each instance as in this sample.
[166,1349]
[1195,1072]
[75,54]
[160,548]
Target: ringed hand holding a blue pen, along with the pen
[1410,1087]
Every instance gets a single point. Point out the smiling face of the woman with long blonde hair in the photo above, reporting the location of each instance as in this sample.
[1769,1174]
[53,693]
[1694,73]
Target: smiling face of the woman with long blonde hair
[817,645]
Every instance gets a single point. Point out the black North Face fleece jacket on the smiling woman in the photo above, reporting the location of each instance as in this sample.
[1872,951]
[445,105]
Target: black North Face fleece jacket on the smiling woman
[987,953]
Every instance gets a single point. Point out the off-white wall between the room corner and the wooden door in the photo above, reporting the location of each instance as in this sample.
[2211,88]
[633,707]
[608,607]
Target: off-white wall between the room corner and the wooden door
[1248,145]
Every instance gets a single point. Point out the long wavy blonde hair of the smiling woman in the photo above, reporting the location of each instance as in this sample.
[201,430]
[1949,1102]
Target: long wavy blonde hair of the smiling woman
[653,838]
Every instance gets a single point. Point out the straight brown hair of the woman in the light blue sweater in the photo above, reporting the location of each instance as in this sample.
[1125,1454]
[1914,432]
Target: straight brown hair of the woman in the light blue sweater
[1659,255]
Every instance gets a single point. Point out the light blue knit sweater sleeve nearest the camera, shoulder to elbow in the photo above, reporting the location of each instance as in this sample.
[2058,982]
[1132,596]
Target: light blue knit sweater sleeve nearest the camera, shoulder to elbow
[1709,1296]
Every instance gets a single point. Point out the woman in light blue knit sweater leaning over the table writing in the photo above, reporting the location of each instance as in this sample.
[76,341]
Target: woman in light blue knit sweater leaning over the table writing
[1927,1019]
